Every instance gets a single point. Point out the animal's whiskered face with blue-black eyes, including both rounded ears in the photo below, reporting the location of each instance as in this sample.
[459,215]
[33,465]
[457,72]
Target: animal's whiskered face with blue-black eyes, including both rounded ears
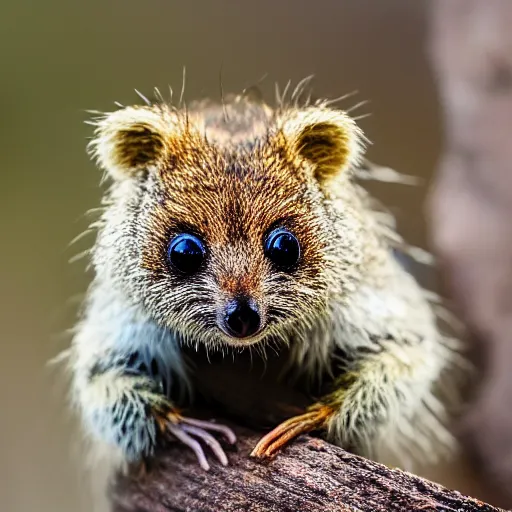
[224,242]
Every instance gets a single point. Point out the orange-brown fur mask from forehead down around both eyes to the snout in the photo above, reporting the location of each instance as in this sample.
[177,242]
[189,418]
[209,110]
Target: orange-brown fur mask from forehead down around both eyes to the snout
[231,195]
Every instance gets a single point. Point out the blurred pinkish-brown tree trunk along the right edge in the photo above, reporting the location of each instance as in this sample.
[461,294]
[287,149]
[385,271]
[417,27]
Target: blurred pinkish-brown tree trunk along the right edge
[471,206]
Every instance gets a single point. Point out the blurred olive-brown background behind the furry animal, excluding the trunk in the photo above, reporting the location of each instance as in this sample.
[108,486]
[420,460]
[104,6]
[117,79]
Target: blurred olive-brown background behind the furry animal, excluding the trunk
[61,58]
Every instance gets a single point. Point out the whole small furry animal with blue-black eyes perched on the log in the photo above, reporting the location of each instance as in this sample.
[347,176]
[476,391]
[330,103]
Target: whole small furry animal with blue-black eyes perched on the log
[239,225]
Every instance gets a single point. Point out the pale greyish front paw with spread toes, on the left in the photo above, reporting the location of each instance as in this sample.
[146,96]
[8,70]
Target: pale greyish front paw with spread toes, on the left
[191,432]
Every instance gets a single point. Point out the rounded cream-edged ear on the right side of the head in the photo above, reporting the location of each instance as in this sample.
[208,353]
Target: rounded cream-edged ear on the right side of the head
[329,139]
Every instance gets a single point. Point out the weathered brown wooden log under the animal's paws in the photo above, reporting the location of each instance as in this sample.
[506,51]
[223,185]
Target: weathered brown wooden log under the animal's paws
[308,476]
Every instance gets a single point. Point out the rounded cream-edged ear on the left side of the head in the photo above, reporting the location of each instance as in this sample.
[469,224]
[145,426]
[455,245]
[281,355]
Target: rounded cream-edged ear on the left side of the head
[134,139]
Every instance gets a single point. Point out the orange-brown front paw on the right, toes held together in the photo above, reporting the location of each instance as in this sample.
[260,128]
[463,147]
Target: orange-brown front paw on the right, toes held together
[316,418]
